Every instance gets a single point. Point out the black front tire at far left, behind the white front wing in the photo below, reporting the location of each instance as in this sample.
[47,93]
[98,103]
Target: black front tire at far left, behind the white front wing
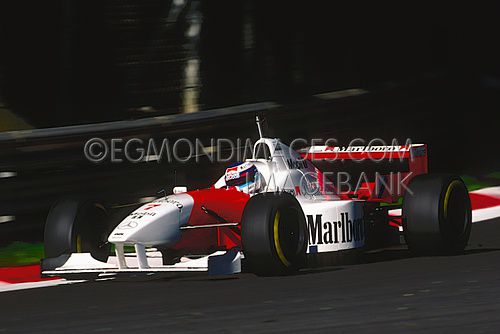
[76,226]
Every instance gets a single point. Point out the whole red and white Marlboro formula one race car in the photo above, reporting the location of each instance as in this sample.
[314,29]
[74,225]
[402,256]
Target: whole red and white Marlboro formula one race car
[275,213]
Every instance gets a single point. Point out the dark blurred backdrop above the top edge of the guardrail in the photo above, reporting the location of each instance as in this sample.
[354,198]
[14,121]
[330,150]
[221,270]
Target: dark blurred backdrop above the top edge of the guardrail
[71,62]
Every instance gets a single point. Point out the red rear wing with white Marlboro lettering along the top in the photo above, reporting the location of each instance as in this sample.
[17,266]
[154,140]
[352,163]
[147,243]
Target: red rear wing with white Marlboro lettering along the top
[370,166]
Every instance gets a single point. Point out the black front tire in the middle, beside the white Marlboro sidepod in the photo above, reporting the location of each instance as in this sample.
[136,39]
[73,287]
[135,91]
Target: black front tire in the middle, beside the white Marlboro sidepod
[274,234]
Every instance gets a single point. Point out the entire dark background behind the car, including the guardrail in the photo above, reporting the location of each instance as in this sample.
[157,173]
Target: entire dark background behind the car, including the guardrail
[429,72]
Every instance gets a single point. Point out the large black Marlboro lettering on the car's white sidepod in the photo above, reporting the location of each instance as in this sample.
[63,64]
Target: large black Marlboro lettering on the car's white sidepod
[341,231]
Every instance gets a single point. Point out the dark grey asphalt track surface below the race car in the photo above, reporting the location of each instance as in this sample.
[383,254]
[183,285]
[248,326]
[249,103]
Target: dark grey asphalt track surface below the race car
[390,292]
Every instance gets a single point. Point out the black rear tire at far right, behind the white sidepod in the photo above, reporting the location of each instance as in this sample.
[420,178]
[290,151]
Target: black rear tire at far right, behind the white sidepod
[437,218]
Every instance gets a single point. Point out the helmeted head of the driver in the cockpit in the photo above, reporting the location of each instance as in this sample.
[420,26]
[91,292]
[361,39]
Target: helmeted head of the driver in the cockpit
[244,176]
